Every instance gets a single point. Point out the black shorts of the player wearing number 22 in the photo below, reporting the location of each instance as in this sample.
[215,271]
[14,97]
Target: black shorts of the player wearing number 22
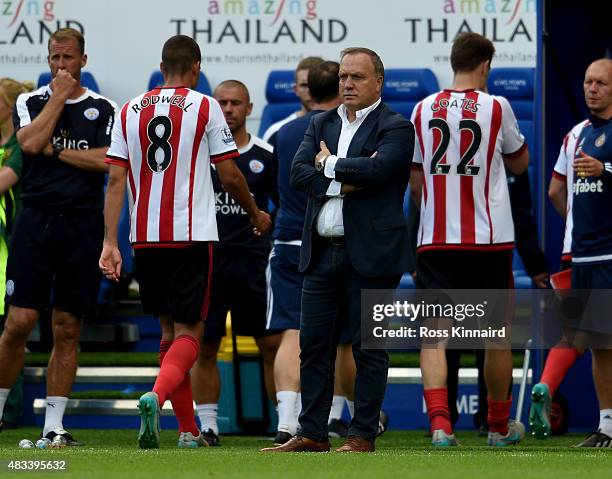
[451,269]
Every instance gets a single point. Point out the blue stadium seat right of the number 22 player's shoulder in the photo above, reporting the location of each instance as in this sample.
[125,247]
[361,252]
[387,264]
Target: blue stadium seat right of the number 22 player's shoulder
[517,85]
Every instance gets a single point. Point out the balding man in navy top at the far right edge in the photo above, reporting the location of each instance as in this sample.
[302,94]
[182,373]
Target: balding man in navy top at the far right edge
[591,245]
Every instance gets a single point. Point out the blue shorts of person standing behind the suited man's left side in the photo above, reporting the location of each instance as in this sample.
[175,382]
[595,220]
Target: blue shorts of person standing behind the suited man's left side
[285,290]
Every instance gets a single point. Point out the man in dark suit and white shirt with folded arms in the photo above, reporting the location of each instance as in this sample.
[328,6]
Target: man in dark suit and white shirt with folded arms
[354,165]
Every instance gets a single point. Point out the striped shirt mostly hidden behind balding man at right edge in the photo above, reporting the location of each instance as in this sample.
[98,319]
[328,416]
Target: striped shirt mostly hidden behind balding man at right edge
[564,171]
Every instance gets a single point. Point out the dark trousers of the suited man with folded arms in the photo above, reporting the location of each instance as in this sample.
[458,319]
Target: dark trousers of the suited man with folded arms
[331,296]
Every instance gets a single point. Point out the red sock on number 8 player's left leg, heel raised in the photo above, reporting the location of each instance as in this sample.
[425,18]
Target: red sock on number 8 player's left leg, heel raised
[177,362]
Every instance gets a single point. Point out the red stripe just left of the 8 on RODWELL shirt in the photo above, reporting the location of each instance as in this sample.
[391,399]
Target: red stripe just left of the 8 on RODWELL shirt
[146,175]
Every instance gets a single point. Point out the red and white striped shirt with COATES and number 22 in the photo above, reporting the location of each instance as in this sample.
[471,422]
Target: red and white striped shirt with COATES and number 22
[461,137]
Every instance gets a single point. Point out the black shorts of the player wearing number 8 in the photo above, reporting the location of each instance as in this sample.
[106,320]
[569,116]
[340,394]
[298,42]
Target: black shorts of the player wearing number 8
[175,281]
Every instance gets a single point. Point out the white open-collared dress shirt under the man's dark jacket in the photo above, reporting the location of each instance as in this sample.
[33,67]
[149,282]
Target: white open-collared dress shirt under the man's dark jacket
[329,221]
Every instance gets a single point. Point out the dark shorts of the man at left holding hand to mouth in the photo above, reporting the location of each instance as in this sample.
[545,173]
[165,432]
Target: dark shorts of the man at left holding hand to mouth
[54,260]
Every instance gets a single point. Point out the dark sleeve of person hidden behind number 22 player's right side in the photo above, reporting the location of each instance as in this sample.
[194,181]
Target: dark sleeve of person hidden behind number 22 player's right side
[525,228]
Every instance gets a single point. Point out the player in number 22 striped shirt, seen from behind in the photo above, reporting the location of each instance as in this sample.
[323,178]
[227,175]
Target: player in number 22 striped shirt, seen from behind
[466,234]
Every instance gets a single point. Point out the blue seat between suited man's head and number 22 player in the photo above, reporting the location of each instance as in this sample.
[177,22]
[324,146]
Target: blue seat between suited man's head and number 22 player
[405,87]
